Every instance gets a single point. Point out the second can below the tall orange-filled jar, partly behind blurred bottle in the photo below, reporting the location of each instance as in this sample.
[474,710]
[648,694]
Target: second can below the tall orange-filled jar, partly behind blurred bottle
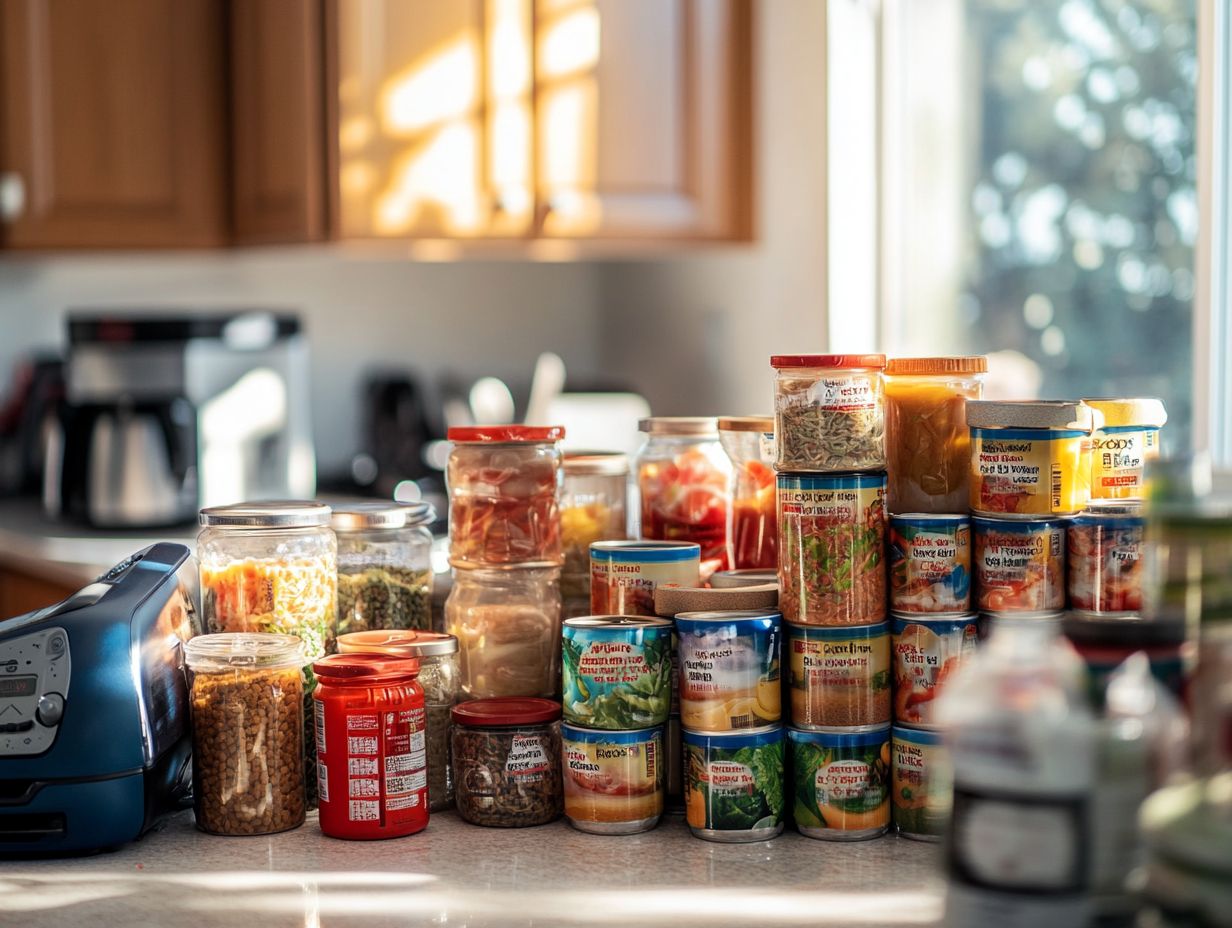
[928,651]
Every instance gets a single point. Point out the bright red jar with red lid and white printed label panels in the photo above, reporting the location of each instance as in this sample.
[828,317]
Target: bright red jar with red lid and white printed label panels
[371,757]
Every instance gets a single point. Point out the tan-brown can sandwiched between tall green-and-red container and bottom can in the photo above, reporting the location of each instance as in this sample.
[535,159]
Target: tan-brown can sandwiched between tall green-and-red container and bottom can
[840,677]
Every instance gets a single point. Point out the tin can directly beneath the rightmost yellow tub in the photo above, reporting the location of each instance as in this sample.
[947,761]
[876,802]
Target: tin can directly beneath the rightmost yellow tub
[1104,547]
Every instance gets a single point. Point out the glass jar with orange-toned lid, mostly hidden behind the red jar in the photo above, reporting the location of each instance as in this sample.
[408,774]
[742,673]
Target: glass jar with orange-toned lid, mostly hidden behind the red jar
[440,677]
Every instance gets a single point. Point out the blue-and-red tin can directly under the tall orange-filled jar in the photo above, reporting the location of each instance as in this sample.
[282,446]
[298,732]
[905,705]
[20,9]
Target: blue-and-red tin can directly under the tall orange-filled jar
[930,564]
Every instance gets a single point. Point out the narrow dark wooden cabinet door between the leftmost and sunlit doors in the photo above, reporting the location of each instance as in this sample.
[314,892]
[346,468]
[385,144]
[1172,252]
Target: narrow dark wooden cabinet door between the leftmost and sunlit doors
[278,100]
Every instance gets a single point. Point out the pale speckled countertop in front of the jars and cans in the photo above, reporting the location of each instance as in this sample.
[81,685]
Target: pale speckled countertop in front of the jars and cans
[455,874]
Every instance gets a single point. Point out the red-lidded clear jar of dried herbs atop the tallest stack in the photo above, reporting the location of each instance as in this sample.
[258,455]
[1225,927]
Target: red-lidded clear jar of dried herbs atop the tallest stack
[830,413]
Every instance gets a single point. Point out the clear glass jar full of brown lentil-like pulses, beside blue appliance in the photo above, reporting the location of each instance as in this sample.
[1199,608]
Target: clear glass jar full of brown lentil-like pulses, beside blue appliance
[248,759]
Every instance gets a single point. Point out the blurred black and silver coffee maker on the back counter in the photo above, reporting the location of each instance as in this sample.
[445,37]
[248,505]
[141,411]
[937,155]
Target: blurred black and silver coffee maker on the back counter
[164,415]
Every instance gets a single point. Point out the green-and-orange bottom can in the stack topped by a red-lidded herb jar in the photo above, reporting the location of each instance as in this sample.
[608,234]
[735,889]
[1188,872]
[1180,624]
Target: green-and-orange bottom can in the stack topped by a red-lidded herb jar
[841,783]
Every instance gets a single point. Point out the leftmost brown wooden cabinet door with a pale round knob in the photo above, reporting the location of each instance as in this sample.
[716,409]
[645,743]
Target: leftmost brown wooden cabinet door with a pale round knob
[113,124]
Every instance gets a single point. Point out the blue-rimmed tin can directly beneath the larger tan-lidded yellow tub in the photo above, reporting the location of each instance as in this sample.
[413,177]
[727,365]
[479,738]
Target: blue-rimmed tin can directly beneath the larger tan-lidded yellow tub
[1021,566]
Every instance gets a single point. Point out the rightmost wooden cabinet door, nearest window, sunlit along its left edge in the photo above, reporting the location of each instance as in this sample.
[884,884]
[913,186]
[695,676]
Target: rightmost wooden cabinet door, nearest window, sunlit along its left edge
[644,118]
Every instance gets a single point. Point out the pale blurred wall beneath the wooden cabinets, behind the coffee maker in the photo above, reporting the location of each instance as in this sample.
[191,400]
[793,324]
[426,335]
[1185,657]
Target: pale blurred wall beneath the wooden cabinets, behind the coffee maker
[474,319]
